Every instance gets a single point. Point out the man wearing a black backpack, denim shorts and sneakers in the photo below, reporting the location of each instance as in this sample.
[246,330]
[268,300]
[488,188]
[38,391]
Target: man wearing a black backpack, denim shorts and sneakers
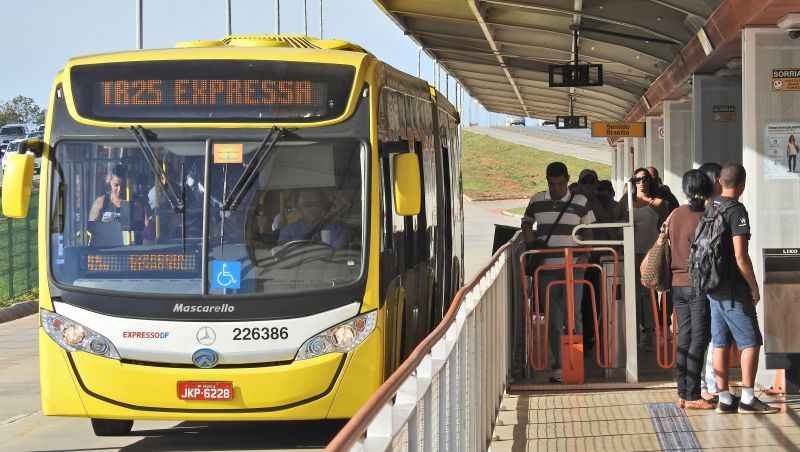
[720,266]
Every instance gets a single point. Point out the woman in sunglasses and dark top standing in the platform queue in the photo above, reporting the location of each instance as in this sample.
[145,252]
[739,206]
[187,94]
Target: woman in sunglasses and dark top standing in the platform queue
[648,213]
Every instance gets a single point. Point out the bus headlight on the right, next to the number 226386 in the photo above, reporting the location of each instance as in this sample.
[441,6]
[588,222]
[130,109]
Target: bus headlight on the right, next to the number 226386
[341,338]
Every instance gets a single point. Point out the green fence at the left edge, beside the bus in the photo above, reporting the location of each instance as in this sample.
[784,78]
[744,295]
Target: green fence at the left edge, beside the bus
[19,262]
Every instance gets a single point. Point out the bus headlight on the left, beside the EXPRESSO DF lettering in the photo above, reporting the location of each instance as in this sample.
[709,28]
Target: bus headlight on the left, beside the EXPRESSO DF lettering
[74,337]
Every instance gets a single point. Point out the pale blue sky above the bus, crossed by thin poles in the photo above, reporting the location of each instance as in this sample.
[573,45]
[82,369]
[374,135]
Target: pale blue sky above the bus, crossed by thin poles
[33,55]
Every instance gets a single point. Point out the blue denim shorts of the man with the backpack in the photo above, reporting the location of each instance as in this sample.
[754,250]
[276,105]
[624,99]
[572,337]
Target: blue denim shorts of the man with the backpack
[737,320]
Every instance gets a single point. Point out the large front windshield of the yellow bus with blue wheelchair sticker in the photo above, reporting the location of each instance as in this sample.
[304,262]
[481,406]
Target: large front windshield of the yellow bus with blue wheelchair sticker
[297,227]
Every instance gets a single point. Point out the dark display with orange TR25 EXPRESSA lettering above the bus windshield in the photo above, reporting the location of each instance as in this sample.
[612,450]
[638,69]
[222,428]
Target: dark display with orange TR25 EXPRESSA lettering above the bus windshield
[211,91]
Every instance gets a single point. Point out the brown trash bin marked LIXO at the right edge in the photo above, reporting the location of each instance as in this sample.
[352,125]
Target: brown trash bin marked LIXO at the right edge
[782,313]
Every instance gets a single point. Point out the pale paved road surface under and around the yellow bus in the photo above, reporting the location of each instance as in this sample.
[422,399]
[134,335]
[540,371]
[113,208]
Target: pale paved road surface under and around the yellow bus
[24,428]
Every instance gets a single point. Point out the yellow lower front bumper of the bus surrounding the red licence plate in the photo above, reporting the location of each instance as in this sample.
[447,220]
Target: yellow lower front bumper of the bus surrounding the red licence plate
[332,386]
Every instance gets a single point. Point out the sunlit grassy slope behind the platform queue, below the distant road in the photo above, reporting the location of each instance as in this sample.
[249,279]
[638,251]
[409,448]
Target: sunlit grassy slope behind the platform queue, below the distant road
[496,169]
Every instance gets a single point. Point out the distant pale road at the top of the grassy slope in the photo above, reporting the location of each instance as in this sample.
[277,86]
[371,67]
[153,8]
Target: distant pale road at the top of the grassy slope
[569,145]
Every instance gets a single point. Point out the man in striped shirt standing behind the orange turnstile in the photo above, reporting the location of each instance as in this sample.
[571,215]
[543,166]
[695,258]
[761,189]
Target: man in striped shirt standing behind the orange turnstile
[543,212]
